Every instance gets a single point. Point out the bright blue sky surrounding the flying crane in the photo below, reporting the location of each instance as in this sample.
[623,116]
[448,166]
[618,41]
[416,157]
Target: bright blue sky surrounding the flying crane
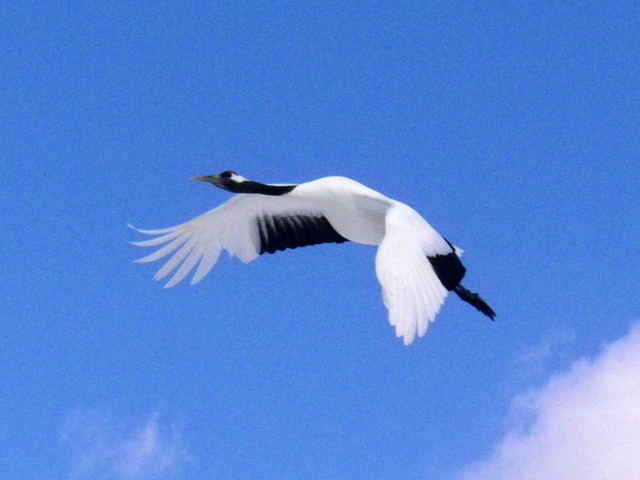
[513,129]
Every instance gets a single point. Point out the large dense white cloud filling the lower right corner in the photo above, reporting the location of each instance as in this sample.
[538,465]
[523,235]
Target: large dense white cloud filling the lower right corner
[582,425]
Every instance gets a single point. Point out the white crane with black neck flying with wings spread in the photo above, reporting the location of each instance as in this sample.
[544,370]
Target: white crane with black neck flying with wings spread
[415,265]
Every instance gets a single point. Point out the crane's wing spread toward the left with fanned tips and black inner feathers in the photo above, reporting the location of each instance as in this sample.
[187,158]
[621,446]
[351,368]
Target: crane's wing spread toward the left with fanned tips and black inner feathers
[245,226]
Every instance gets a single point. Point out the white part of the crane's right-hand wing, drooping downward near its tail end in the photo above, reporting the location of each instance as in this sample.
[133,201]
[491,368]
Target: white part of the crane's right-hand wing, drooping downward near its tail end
[410,287]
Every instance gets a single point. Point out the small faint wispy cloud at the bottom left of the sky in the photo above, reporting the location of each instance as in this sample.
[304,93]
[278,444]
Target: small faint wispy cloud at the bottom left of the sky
[102,451]
